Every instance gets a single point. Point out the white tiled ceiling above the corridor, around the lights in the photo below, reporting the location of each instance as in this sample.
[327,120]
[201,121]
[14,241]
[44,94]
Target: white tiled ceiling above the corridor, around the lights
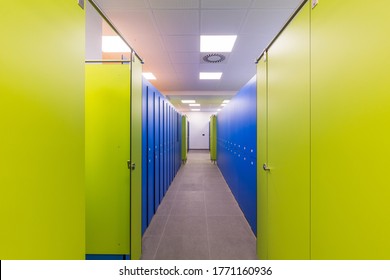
[166,34]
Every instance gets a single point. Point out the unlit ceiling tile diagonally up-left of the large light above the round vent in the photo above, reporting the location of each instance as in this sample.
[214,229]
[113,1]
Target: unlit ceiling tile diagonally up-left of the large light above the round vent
[175,22]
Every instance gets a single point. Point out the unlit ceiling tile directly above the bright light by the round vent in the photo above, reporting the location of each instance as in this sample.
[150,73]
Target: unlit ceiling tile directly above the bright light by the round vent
[221,22]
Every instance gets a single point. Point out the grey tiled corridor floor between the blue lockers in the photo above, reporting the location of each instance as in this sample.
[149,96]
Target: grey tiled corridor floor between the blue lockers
[199,218]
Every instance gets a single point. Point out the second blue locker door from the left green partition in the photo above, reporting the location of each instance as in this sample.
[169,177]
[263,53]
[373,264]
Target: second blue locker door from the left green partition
[150,124]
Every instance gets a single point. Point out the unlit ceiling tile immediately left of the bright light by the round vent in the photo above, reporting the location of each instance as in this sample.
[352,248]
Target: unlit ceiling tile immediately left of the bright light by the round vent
[182,43]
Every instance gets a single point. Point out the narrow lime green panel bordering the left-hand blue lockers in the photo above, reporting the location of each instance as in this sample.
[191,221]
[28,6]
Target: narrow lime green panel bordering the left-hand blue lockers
[136,158]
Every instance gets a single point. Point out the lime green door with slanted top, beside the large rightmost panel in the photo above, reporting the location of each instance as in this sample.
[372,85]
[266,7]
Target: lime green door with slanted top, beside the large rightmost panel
[289,141]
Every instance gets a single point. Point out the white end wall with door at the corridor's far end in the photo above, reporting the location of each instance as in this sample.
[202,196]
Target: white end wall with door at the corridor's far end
[199,130]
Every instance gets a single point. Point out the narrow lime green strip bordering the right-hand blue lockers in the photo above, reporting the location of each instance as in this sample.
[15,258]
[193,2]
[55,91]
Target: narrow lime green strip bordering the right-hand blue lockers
[262,184]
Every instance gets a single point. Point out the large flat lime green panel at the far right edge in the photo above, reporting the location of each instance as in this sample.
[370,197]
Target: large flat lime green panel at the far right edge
[350,135]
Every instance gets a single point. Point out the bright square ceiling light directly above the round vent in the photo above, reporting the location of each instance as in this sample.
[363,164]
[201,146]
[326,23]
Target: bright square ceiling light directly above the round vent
[218,43]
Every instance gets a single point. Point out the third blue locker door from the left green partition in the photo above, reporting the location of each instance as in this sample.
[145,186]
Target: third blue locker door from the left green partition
[156,150]
